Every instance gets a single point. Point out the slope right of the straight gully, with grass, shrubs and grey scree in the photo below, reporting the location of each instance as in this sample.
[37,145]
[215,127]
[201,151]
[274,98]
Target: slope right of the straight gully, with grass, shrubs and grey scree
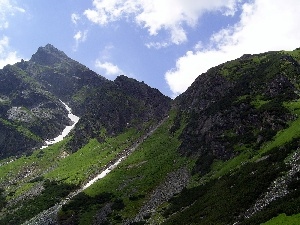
[147,178]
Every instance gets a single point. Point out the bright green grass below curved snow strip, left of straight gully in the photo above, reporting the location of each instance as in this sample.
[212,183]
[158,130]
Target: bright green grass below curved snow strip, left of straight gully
[52,163]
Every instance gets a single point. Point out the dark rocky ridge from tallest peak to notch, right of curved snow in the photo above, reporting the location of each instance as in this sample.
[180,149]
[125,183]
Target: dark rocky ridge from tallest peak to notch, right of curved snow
[107,108]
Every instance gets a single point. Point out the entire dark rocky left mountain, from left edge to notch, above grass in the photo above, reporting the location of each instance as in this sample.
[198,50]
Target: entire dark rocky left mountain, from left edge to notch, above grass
[31,111]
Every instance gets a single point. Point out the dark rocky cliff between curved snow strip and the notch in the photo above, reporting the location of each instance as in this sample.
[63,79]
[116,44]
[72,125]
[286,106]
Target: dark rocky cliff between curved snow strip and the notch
[118,106]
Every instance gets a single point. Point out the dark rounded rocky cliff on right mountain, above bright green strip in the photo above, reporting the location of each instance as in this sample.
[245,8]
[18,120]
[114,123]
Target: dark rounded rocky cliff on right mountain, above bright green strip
[237,105]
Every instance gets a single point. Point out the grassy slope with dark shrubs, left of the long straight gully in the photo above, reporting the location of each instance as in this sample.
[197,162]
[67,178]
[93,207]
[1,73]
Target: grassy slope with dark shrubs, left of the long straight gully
[58,174]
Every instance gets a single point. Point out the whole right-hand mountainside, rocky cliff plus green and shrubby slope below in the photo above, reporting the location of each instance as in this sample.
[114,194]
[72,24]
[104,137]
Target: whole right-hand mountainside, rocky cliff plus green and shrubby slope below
[242,125]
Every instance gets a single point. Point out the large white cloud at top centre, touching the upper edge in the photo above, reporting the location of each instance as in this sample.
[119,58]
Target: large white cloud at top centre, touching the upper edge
[158,15]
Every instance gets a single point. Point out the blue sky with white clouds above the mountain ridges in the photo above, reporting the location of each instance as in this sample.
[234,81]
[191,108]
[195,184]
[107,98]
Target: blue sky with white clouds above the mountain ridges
[165,43]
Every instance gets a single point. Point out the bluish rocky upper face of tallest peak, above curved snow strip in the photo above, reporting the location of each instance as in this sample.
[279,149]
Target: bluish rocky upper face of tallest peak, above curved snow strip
[67,79]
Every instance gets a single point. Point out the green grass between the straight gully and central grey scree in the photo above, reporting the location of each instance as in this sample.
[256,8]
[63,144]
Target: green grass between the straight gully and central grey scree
[135,178]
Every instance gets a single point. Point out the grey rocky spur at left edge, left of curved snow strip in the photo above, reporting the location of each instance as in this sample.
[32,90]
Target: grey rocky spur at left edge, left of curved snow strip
[28,113]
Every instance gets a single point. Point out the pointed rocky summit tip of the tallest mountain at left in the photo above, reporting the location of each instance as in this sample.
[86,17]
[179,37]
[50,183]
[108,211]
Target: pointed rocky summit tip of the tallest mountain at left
[48,55]
